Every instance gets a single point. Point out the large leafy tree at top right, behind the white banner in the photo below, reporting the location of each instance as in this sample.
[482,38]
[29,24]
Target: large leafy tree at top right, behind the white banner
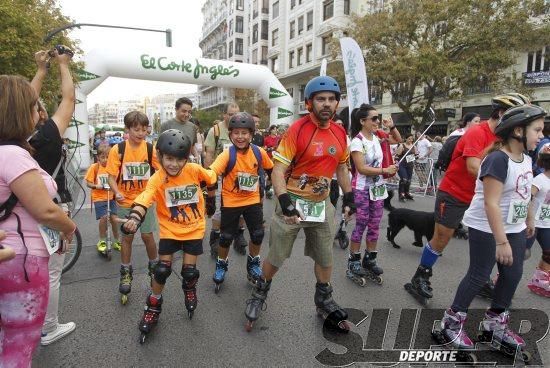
[422,51]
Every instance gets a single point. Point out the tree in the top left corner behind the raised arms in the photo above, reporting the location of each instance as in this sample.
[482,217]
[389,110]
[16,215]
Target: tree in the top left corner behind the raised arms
[24,23]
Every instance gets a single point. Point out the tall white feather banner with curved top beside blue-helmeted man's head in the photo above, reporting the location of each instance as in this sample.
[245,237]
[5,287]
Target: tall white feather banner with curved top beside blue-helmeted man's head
[356,76]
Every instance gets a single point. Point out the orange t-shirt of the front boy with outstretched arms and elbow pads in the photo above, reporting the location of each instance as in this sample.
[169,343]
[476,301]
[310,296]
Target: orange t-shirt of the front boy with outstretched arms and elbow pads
[180,202]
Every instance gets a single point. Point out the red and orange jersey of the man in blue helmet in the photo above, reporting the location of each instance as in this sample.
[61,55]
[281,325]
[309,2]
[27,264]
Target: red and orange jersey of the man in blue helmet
[312,154]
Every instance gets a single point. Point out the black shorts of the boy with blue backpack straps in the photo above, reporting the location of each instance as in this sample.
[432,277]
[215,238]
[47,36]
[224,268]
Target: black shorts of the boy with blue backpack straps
[253,216]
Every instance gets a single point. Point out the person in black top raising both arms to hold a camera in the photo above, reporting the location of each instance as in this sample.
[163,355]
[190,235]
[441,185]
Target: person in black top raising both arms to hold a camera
[48,142]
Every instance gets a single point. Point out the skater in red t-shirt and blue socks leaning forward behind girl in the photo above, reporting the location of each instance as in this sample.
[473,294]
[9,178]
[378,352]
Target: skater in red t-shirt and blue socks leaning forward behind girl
[455,193]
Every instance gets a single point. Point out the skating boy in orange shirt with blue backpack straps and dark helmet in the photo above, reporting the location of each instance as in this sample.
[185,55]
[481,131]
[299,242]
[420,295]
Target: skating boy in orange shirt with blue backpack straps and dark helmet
[243,168]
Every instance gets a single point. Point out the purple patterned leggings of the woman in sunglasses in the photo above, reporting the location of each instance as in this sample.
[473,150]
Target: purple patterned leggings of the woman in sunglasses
[368,216]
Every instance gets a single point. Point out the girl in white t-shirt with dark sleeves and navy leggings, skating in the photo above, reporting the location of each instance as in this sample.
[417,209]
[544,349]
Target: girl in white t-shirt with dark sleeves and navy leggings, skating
[498,218]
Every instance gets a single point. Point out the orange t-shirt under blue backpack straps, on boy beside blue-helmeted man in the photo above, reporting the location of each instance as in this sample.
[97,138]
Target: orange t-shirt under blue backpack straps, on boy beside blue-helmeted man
[241,186]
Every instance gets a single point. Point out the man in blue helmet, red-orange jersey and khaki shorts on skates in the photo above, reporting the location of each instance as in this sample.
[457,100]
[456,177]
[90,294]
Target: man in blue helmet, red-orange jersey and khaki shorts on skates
[310,152]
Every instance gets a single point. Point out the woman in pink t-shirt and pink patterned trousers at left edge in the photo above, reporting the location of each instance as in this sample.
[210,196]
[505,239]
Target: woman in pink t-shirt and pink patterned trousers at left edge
[23,279]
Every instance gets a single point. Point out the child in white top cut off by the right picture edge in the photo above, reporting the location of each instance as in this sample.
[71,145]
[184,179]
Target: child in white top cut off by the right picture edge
[540,282]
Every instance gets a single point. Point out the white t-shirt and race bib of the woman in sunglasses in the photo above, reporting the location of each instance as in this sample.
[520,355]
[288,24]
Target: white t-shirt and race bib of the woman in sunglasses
[372,152]
